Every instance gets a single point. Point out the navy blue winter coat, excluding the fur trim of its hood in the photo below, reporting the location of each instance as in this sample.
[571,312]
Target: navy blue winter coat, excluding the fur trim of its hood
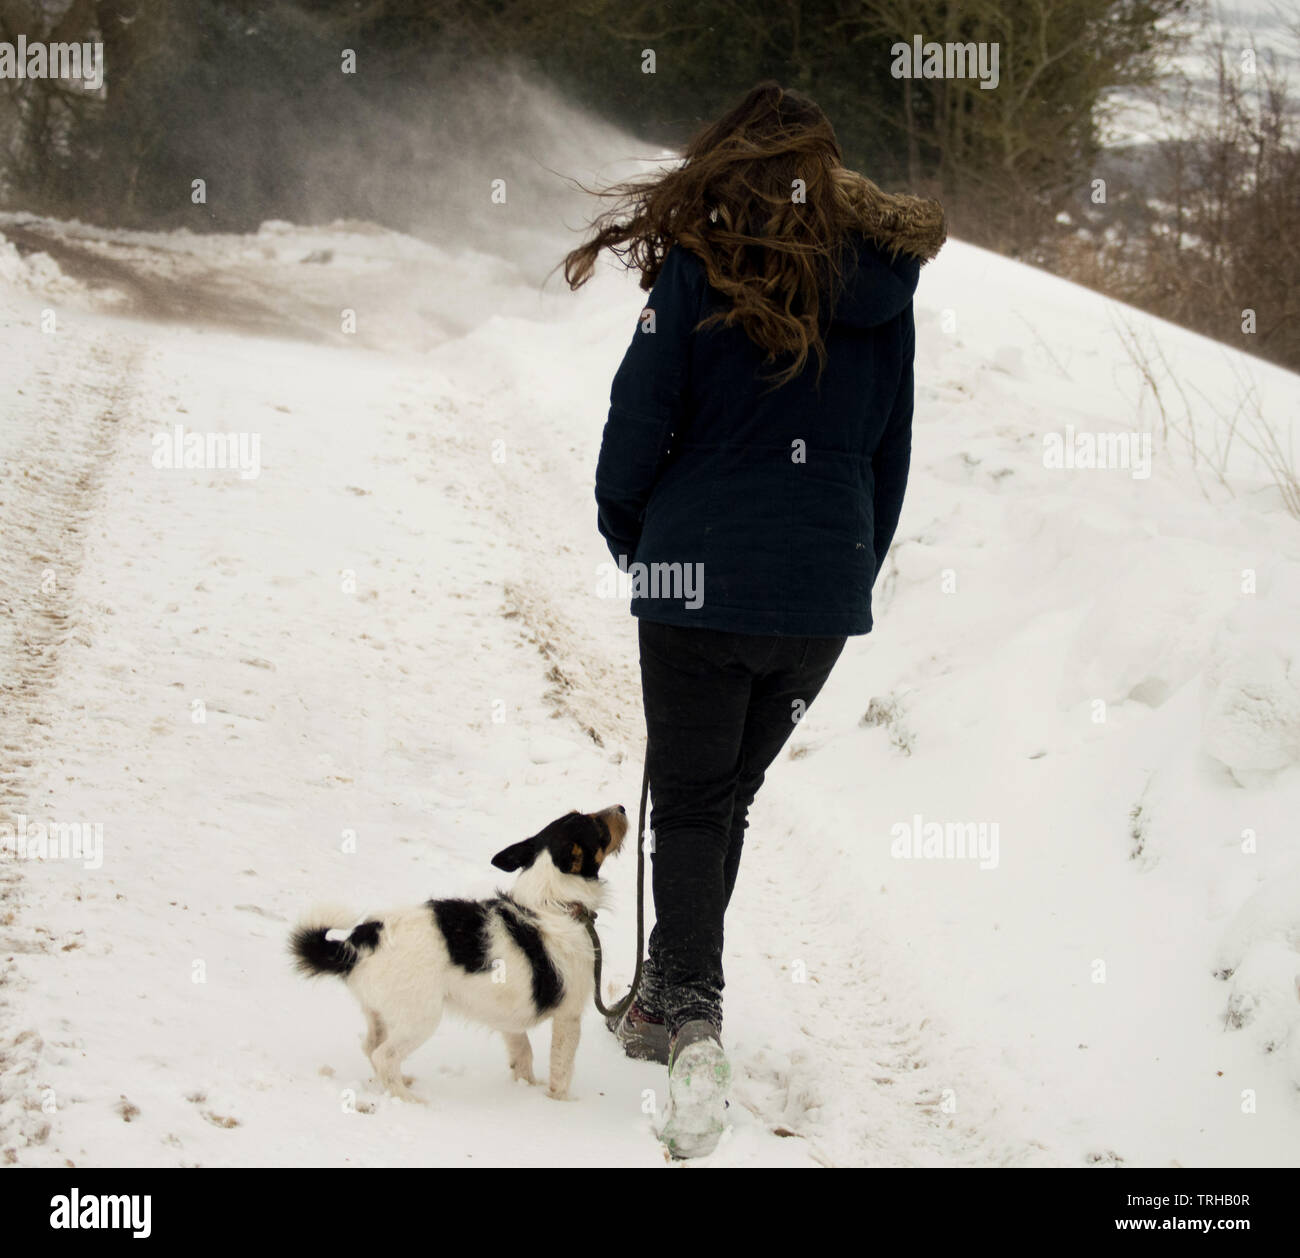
[786,500]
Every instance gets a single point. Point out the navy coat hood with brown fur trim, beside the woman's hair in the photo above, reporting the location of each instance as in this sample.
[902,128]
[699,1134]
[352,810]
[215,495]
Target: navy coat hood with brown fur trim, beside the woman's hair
[899,235]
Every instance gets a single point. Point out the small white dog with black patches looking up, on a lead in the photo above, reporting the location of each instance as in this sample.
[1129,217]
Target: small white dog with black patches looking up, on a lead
[510,962]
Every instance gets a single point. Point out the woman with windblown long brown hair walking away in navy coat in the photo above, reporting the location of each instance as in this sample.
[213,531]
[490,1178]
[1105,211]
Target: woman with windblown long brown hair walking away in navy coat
[752,471]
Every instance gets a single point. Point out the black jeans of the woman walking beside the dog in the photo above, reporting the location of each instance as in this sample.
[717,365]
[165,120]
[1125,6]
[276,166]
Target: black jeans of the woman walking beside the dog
[720,708]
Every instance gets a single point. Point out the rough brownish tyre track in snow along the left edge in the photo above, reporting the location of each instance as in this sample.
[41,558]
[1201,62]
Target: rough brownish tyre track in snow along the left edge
[62,428]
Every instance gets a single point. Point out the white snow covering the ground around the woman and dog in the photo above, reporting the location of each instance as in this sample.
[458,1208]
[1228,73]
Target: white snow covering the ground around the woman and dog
[361,674]
